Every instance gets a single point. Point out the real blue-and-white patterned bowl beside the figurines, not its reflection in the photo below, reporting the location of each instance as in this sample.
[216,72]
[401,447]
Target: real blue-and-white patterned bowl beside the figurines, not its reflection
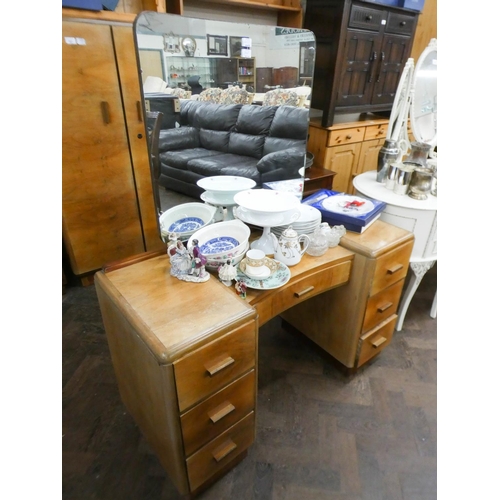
[222,239]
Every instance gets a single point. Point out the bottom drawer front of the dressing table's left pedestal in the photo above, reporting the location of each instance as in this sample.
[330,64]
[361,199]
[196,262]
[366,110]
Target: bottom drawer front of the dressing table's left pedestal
[219,452]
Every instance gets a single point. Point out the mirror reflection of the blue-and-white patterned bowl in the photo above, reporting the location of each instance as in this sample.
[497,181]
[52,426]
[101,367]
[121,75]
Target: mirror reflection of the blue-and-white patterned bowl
[185,219]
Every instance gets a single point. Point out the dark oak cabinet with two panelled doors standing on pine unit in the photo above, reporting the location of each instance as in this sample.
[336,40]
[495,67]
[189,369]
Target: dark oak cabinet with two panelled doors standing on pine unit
[362,48]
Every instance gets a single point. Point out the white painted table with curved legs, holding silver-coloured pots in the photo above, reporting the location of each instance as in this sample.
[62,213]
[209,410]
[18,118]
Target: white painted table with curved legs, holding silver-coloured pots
[417,216]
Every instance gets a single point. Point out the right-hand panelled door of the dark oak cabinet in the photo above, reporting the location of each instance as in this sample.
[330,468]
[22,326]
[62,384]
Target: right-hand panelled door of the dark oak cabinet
[393,56]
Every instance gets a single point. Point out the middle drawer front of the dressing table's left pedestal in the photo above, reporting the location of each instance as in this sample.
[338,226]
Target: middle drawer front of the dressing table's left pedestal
[207,420]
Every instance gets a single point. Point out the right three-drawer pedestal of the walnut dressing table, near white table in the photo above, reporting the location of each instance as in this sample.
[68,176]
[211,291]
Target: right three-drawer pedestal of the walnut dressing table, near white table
[360,316]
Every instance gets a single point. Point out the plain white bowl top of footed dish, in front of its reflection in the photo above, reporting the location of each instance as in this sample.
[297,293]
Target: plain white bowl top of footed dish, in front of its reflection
[266,201]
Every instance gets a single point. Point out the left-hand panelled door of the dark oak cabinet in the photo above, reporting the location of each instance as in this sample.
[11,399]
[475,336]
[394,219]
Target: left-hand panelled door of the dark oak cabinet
[360,63]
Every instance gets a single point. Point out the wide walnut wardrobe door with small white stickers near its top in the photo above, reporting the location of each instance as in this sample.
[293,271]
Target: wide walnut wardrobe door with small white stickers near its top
[101,219]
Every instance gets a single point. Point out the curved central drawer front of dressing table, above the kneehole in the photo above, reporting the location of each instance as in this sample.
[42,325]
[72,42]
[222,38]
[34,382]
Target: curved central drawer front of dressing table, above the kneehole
[308,287]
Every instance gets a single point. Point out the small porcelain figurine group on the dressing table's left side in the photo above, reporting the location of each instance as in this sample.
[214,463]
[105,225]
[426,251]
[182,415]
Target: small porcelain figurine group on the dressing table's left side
[186,264]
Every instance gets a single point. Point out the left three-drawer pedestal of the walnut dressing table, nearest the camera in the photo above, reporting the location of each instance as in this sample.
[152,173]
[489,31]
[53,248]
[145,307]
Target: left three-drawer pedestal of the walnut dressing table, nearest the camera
[189,382]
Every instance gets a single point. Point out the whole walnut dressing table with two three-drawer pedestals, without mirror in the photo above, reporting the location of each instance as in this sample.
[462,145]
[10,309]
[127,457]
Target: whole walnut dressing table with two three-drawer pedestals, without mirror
[185,354]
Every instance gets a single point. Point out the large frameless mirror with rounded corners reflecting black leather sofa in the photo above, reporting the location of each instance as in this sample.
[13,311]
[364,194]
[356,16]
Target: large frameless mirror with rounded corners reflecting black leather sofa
[234,101]
